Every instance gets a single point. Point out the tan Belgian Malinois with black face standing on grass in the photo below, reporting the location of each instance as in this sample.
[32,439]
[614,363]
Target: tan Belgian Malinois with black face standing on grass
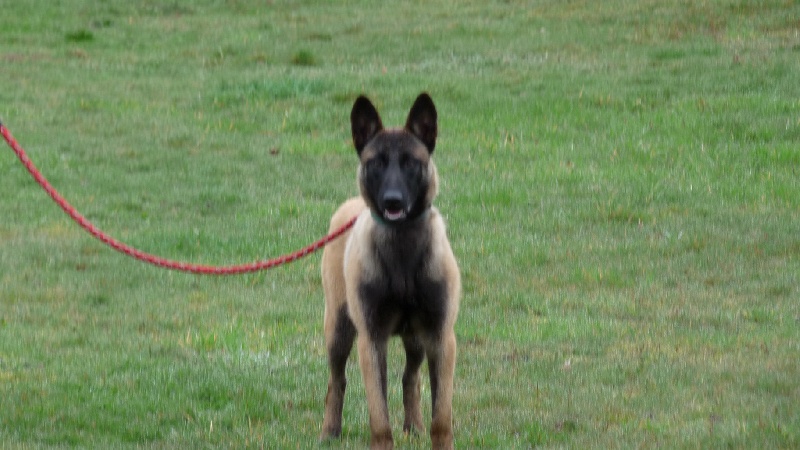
[394,273]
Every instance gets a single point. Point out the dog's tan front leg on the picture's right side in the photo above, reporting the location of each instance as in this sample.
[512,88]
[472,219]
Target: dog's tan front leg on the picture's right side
[442,362]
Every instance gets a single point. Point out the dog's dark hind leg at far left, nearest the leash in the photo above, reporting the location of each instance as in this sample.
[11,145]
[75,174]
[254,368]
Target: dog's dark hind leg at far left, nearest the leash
[339,336]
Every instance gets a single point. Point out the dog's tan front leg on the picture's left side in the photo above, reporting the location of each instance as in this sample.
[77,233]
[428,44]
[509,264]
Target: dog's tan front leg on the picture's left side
[372,359]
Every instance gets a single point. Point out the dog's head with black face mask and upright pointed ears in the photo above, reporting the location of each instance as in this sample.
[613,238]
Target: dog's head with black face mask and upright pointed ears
[396,176]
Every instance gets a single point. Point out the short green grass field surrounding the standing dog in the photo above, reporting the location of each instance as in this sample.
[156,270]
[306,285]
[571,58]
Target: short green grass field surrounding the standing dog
[620,182]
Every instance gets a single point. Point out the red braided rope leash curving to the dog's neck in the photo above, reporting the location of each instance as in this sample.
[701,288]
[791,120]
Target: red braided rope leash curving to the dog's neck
[152,259]
